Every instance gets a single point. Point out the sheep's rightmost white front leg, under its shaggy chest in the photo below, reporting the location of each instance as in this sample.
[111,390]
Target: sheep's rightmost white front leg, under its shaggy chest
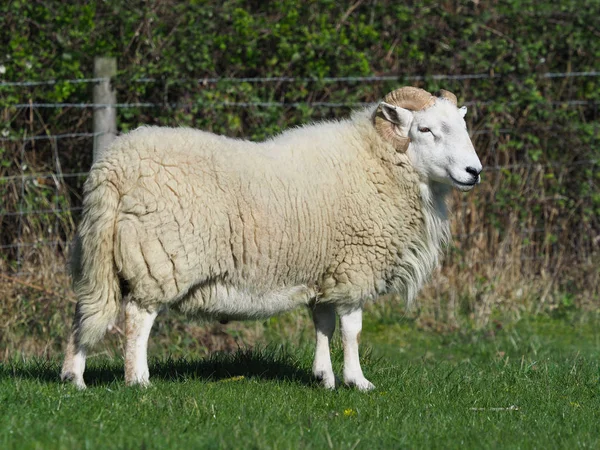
[351,324]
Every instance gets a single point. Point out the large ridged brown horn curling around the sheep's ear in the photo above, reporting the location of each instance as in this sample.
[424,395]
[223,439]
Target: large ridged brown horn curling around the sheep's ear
[408,97]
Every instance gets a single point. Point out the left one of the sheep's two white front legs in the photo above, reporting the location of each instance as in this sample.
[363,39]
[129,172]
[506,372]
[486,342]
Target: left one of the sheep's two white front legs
[324,320]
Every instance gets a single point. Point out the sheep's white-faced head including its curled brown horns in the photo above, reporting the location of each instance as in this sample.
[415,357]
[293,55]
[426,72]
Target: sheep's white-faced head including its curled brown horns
[432,131]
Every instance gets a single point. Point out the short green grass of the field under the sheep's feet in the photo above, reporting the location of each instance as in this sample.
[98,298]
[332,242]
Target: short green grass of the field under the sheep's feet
[526,384]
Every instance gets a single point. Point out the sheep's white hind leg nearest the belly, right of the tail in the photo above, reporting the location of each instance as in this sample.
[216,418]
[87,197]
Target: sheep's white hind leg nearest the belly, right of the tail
[138,323]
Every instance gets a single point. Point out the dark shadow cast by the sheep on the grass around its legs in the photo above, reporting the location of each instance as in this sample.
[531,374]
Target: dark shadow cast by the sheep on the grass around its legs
[266,364]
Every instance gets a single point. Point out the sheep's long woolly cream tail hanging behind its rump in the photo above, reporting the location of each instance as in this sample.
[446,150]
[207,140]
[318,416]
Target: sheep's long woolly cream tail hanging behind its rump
[95,278]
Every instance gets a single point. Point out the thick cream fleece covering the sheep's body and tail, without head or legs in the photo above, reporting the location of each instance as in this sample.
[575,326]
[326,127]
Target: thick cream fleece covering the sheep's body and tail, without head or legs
[228,228]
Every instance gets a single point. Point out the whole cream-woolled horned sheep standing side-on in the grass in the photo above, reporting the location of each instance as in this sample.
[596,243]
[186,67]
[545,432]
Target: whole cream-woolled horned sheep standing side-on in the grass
[330,215]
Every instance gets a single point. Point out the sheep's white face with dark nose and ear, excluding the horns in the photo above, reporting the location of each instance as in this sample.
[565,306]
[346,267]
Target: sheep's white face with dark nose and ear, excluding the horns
[440,148]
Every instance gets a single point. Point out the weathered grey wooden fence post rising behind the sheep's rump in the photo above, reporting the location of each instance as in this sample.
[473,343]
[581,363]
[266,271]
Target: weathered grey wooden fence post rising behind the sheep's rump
[105,117]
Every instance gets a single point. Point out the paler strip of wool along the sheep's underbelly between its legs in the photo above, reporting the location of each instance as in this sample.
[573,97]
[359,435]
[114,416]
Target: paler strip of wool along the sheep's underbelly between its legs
[226,302]
